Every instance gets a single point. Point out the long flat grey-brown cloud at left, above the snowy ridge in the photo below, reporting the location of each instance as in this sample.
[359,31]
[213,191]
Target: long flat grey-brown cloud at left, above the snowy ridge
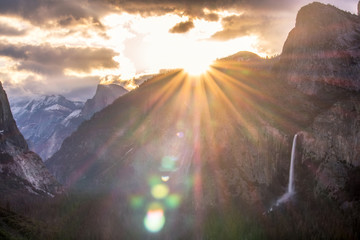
[50,61]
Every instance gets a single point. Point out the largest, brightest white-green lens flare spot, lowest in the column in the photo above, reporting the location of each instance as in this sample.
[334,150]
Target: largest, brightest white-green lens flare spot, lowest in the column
[154,220]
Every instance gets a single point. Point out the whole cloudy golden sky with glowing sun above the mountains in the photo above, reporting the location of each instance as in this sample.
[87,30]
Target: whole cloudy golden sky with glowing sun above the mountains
[67,47]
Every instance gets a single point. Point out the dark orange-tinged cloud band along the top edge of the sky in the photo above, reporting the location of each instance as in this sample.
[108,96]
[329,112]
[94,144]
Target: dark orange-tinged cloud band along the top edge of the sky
[67,12]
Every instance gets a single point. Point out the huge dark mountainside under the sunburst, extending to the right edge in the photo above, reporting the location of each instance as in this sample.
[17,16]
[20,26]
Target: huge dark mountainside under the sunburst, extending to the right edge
[199,152]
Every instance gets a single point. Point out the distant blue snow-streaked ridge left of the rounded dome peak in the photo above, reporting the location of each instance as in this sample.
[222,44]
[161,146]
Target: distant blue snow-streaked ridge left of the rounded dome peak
[46,121]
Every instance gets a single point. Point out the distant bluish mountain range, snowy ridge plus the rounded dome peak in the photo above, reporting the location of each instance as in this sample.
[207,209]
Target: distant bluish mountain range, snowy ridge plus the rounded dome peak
[48,120]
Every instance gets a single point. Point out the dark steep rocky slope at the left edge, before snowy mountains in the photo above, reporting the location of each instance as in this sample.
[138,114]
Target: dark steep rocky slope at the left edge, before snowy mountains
[21,171]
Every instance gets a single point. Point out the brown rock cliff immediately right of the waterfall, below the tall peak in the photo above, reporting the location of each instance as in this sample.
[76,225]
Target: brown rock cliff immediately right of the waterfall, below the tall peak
[331,150]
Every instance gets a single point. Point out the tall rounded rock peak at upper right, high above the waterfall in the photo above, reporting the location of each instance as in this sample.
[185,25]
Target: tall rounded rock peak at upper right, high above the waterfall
[322,51]
